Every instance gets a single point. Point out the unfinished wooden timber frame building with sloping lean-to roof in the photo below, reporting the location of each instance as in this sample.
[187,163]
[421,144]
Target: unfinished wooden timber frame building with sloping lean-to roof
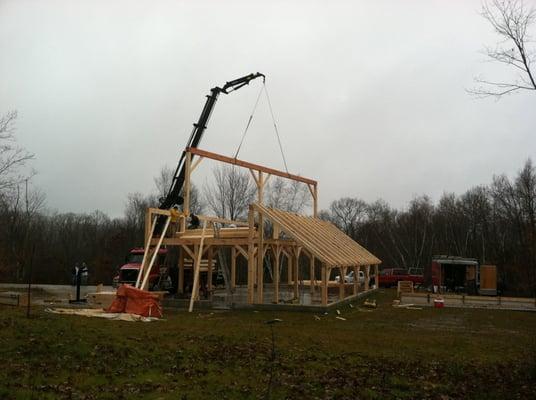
[269,241]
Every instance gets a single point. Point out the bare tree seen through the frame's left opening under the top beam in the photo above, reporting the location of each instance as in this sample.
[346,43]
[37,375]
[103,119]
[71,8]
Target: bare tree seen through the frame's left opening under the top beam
[231,193]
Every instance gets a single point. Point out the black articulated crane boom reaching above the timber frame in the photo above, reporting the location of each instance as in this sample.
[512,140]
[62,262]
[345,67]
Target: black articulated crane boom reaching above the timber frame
[173,196]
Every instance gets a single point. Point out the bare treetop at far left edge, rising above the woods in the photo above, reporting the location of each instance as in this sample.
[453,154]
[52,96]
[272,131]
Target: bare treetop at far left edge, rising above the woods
[12,157]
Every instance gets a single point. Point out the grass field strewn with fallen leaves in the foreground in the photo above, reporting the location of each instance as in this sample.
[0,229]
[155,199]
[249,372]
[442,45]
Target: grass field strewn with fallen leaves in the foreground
[386,353]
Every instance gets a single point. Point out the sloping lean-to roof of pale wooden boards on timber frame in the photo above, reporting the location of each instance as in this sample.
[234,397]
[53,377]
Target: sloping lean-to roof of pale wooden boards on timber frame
[321,238]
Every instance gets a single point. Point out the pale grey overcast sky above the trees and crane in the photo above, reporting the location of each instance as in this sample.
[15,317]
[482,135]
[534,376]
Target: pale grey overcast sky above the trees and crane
[369,96]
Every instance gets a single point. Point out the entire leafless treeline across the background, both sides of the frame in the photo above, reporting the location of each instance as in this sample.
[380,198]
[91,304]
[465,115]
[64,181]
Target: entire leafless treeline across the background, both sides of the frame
[495,223]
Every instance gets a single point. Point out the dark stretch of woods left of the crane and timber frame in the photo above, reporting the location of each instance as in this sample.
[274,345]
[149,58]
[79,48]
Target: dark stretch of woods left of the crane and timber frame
[51,244]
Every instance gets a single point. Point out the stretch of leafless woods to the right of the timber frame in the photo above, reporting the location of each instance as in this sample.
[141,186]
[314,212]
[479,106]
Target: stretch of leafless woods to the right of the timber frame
[495,223]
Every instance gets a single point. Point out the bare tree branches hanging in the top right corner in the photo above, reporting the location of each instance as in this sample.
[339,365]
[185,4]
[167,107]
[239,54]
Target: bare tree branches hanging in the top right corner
[511,20]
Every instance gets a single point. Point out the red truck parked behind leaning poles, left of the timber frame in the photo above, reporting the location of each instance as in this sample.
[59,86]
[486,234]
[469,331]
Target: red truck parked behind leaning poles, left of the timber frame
[128,273]
